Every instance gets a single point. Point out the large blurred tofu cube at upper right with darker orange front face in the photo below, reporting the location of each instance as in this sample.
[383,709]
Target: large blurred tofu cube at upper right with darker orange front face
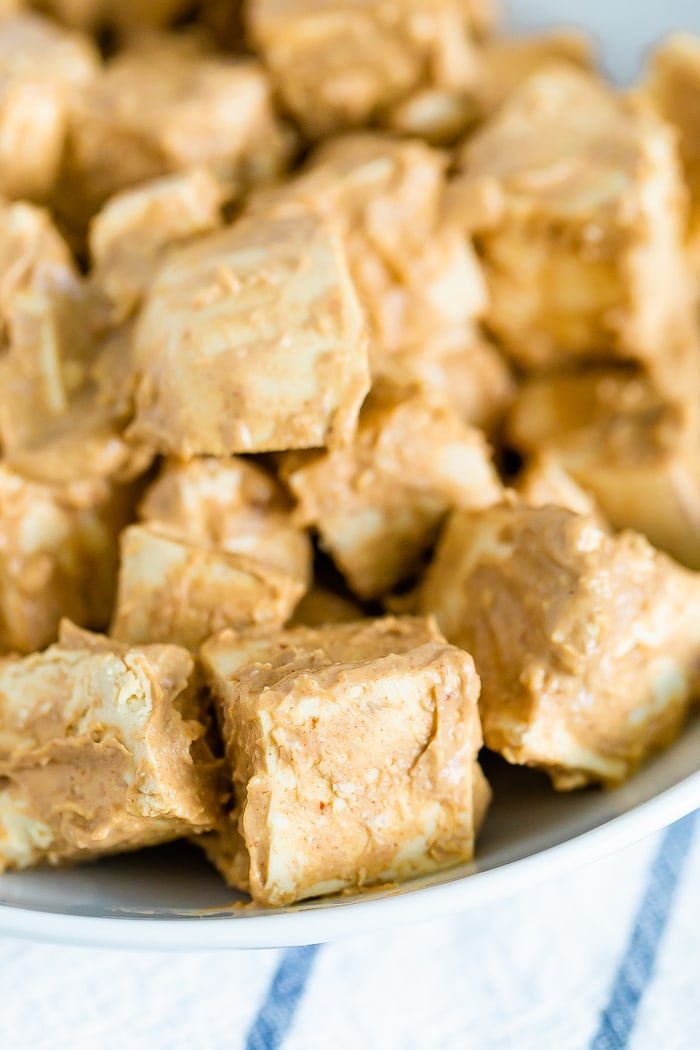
[581,207]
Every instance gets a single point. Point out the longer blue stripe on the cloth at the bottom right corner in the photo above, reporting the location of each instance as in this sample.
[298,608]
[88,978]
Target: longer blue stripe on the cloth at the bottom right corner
[637,969]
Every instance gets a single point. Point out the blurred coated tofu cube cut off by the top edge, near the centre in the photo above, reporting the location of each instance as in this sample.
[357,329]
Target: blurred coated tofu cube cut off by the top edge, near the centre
[340,65]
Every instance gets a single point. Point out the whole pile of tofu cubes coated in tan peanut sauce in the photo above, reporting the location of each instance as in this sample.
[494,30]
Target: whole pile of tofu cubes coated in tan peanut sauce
[350,421]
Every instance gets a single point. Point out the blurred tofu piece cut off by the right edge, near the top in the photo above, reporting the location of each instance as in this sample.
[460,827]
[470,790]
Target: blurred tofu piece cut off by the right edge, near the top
[674,89]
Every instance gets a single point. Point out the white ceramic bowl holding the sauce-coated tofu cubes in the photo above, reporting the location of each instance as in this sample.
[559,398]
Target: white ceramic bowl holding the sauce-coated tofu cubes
[171,898]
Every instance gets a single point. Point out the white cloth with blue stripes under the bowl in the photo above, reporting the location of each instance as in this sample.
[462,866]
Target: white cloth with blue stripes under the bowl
[605,958]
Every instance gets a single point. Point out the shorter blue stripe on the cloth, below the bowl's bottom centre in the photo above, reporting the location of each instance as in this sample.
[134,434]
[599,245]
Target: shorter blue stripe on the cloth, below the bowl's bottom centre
[277,1015]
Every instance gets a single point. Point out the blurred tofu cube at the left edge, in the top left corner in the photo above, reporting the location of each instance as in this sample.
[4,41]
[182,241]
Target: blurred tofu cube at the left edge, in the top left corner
[43,68]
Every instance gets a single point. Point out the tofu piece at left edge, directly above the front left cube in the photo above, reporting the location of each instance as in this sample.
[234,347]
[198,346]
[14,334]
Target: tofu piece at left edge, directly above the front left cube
[58,557]
